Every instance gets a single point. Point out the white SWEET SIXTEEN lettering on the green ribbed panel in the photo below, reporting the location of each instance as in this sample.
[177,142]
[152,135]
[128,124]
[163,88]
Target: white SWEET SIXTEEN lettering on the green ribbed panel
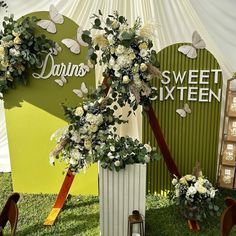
[197,88]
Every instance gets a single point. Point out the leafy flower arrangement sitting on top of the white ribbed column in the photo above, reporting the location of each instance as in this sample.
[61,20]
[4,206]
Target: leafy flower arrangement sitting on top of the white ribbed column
[117,152]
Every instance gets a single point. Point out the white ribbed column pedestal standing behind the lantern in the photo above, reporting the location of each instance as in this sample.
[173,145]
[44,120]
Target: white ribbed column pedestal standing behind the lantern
[119,194]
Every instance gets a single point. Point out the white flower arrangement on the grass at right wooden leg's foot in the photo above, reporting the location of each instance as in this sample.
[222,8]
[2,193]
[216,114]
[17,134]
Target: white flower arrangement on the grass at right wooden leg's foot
[195,195]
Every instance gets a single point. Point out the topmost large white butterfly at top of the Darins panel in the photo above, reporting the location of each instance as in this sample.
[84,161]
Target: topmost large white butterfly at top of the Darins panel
[55,18]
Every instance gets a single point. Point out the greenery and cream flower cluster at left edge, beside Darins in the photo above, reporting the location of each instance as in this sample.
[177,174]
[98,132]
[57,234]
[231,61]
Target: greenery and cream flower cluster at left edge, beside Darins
[20,49]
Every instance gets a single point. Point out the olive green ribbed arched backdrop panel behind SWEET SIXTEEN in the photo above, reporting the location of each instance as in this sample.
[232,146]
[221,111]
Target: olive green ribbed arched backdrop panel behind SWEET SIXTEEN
[190,139]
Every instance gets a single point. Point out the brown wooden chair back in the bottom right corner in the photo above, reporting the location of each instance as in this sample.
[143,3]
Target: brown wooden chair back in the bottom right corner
[228,217]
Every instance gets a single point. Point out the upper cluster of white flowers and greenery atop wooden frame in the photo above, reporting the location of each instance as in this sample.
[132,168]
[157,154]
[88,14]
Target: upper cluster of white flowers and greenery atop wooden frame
[127,54]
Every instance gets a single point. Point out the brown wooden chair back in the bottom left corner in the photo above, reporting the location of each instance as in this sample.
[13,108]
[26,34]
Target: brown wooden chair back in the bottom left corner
[10,213]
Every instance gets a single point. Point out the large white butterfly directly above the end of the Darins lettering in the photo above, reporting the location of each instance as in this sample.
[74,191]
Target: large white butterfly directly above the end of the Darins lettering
[74,45]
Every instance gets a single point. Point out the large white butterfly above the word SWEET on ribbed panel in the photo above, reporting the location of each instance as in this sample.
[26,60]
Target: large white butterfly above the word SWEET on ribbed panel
[190,50]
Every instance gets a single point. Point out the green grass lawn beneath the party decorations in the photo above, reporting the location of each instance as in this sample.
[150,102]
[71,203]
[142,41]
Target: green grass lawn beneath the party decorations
[80,215]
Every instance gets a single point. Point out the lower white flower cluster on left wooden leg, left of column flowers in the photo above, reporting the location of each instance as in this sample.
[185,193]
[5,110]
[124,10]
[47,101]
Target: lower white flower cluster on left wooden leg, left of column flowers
[90,125]
